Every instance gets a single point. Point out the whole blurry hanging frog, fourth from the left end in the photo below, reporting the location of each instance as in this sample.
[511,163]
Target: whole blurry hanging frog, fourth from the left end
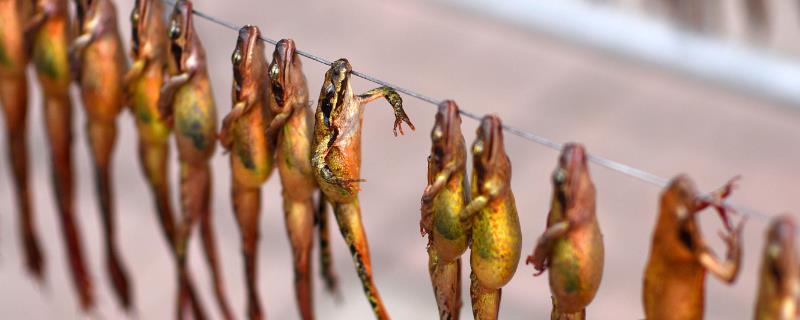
[143,87]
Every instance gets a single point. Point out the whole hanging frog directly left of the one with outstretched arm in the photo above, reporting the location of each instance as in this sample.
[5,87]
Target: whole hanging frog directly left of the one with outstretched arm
[291,125]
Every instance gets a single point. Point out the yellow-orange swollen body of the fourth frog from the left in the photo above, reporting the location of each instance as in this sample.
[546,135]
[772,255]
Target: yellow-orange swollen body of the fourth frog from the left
[144,95]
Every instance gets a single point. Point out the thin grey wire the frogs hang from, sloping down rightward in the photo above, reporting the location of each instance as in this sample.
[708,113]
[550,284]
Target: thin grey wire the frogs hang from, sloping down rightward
[630,171]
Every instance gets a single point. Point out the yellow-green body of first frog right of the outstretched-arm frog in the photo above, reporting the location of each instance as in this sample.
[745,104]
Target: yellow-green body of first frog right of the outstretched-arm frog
[450,235]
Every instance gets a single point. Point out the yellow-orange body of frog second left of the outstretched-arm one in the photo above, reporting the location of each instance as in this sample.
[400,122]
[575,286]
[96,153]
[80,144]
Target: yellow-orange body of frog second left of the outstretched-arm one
[251,154]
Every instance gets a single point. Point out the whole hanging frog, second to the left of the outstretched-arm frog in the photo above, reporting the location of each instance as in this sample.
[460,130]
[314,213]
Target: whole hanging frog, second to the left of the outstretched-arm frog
[251,151]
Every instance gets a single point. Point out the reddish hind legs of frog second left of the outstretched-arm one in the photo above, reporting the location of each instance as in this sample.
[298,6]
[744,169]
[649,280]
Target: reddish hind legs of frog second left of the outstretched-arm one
[247,206]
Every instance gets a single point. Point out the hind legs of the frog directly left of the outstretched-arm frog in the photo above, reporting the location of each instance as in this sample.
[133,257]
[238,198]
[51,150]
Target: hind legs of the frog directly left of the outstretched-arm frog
[299,219]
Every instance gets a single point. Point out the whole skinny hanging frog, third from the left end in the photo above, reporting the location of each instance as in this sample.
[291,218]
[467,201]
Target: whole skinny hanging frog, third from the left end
[100,58]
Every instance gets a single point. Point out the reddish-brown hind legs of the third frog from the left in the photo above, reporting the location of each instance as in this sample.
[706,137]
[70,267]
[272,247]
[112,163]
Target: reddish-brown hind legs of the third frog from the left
[102,136]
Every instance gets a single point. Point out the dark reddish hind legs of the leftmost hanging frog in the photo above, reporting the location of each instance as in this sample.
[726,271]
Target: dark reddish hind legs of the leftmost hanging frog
[14,100]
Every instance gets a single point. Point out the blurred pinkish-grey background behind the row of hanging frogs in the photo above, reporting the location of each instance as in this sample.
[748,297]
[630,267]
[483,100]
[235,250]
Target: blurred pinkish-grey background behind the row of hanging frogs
[624,77]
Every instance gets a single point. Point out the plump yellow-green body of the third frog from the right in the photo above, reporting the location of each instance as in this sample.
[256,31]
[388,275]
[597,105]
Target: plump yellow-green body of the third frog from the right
[576,267]
